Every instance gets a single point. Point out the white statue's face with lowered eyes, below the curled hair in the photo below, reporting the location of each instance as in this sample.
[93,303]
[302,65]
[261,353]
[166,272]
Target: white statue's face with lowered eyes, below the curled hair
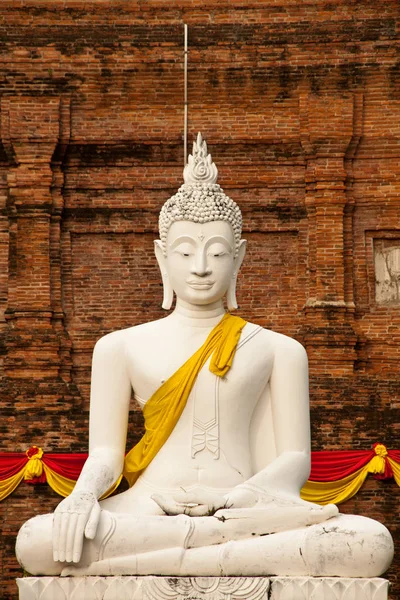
[200,260]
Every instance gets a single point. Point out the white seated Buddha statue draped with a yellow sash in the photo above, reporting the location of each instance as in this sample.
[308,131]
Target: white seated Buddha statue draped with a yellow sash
[217,478]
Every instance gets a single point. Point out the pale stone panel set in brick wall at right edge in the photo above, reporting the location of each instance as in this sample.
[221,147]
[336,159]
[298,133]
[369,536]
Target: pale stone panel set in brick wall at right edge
[387,271]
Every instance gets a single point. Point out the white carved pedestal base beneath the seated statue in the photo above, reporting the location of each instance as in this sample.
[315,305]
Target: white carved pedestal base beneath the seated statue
[199,588]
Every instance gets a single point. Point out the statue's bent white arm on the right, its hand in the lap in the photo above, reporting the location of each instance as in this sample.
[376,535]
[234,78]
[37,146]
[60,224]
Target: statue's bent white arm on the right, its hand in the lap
[288,384]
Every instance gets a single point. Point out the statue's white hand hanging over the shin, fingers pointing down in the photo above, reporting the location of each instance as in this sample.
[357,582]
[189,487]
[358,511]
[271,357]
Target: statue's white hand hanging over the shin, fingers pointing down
[76,517]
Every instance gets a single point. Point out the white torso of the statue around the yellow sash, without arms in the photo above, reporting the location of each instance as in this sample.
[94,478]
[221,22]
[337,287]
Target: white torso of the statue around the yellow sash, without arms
[209,449]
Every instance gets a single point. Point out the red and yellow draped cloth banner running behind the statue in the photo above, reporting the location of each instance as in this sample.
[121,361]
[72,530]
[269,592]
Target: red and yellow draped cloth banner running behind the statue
[336,475]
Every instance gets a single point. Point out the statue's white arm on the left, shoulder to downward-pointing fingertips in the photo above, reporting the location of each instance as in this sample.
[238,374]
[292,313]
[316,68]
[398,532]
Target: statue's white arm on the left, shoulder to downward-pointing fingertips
[78,515]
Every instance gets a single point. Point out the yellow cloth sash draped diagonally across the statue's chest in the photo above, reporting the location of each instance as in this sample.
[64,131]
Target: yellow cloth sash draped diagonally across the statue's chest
[162,411]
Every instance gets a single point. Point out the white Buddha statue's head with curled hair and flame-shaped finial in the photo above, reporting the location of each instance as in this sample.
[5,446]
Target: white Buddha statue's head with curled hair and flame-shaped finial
[200,249]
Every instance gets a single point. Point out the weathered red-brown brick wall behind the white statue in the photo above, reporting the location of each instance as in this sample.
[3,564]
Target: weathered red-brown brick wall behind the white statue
[300,105]
